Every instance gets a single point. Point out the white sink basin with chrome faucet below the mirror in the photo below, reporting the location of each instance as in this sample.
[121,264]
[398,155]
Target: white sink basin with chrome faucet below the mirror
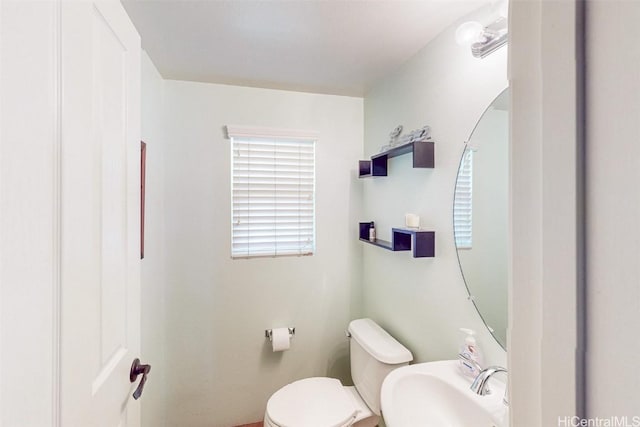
[436,394]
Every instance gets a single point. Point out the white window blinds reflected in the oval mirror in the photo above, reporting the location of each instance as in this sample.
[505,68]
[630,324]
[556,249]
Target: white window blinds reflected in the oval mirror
[463,203]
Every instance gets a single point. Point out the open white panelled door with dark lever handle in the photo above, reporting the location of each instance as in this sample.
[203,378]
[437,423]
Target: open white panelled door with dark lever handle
[100,197]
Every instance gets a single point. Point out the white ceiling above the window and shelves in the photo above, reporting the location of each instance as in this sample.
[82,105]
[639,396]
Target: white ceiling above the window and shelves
[337,47]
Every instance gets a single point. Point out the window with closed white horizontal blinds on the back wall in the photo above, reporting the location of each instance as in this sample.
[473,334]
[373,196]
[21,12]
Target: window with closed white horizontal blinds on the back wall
[272,193]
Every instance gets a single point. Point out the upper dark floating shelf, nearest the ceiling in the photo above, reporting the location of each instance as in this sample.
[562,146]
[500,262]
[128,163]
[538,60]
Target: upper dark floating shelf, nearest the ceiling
[422,152]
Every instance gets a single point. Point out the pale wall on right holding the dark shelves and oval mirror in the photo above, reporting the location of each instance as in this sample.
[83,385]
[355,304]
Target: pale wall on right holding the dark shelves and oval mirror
[423,302]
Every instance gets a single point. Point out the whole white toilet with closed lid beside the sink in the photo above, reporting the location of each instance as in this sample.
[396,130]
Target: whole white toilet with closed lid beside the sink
[325,402]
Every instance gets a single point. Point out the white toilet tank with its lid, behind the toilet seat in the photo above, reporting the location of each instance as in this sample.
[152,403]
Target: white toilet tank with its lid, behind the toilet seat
[374,353]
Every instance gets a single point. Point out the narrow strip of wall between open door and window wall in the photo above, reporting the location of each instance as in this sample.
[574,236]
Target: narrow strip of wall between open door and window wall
[153,345]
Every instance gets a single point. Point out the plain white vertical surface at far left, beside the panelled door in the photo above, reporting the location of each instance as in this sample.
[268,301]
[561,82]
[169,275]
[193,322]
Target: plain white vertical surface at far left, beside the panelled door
[29,209]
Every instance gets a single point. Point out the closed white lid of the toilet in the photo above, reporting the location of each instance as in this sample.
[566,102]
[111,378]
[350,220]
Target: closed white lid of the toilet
[311,402]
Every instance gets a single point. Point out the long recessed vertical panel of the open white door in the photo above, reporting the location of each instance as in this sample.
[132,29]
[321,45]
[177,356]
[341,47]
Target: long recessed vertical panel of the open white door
[109,104]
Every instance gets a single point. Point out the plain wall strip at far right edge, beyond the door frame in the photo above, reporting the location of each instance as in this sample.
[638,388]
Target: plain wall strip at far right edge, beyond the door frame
[613,209]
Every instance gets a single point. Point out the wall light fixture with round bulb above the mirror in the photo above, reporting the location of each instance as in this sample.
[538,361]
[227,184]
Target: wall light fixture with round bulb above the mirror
[483,40]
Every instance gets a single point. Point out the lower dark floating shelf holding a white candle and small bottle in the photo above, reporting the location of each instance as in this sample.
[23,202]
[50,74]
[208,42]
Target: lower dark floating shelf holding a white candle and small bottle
[423,243]
